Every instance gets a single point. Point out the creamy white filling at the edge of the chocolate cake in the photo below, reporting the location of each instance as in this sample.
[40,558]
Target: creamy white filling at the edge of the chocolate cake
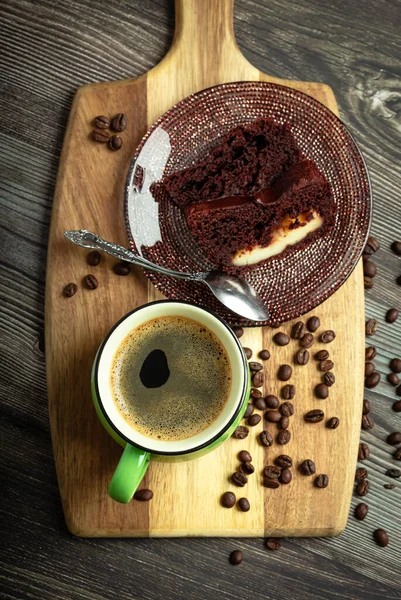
[283,236]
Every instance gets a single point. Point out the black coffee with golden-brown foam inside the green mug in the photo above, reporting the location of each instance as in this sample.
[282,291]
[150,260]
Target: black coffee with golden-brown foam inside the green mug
[171,378]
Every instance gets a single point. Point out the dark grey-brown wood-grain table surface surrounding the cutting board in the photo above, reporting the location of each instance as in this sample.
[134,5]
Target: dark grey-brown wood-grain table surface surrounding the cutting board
[48,49]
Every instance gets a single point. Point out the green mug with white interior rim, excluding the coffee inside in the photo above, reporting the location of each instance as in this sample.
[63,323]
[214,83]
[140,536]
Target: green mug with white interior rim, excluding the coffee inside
[139,449]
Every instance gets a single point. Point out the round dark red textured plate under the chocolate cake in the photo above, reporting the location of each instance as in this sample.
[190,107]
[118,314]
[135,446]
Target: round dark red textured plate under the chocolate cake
[292,285]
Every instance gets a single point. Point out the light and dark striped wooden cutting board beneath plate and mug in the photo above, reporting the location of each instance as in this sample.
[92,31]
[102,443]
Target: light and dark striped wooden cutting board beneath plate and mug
[89,194]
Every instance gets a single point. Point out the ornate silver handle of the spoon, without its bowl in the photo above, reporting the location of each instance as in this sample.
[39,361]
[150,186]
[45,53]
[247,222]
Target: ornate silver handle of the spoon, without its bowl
[86,239]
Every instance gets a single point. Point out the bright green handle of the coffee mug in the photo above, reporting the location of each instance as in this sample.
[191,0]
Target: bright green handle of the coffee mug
[128,474]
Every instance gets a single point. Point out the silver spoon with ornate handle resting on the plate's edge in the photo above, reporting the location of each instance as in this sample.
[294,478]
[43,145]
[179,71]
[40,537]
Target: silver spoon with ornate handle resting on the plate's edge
[232,291]
